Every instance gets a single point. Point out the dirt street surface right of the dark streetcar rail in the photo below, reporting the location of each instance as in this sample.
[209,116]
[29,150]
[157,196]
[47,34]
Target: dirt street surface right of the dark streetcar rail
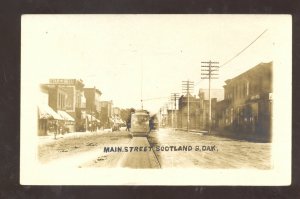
[208,151]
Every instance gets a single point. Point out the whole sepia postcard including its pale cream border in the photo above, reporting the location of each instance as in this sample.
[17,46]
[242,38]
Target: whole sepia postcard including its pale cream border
[137,99]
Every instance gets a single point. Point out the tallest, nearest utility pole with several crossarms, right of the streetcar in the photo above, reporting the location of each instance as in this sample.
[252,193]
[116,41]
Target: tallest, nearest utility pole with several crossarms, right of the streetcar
[210,72]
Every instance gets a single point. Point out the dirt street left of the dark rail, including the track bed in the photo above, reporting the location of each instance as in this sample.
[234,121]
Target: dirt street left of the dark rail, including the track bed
[87,150]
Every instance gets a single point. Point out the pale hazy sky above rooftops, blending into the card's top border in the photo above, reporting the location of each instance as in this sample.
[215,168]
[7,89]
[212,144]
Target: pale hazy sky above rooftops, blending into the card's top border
[120,54]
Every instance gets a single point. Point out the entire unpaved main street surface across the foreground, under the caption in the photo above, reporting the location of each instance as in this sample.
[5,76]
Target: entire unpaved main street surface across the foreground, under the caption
[166,149]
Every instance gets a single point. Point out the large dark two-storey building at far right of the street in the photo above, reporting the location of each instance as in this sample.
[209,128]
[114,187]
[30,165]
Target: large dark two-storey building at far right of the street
[247,105]
